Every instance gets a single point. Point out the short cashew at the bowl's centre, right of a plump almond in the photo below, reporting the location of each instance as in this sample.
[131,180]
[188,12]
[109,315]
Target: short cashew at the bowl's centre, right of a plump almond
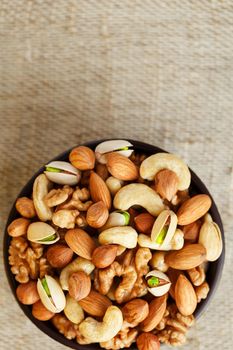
[125,236]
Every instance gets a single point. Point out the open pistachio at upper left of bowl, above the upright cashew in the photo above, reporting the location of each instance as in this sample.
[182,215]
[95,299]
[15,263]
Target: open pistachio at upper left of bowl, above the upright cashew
[68,174]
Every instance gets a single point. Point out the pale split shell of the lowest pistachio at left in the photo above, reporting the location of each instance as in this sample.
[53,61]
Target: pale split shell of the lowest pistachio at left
[56,302]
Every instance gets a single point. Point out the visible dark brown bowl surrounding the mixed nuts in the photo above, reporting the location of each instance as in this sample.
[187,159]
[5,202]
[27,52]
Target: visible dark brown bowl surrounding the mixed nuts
[213,274]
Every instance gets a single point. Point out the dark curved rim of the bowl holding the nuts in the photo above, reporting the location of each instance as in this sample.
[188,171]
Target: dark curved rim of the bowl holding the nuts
[47,327]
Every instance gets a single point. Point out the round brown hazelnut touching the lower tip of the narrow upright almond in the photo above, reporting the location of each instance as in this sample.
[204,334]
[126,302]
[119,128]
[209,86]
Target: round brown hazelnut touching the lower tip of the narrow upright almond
[97,215]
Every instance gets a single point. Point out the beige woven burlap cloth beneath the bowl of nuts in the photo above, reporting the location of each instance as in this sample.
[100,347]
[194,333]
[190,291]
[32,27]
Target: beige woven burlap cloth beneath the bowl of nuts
[156,71]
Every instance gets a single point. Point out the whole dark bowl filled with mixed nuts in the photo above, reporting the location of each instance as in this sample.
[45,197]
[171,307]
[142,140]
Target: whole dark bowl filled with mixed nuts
[114,244]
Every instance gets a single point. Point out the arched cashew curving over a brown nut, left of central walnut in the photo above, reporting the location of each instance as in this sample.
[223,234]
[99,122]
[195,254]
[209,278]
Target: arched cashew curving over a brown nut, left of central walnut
[78,264]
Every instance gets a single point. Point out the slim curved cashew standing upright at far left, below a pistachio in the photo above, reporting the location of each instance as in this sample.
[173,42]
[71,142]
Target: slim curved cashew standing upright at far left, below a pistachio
[41,188]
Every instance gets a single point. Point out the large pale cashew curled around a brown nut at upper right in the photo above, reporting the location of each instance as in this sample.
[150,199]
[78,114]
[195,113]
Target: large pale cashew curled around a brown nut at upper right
[159,161]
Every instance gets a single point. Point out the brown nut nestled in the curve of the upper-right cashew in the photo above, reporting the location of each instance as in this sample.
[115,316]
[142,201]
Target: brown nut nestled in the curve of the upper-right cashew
[166,184]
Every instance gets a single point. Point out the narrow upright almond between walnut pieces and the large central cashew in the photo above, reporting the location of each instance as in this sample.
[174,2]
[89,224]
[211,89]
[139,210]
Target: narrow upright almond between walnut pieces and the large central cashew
[99,190]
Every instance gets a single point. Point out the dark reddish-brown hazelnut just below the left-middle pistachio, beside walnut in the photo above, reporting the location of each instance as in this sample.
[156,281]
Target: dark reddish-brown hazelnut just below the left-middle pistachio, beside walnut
[59,255]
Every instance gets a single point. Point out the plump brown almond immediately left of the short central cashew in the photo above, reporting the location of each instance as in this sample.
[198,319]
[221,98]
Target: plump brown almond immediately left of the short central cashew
[80,242]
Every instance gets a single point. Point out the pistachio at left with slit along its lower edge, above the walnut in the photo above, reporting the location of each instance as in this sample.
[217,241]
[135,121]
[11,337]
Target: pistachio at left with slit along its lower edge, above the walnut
[40,232]
